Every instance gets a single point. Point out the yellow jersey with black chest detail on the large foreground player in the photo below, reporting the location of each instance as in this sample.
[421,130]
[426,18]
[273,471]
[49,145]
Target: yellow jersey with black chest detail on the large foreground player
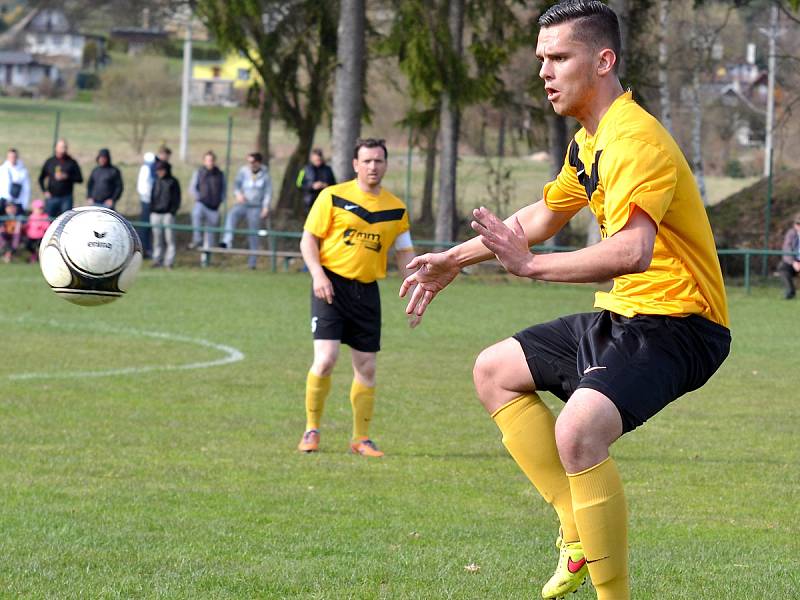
[631,160]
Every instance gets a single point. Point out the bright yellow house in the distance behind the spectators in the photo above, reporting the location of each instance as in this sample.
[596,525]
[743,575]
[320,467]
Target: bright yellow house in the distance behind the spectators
[223,82]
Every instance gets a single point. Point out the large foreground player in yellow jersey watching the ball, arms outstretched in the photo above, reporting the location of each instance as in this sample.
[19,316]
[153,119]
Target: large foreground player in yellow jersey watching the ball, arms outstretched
[662,331]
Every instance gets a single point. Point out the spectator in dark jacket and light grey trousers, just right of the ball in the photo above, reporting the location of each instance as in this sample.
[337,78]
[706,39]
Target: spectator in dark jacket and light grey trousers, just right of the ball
[165,200]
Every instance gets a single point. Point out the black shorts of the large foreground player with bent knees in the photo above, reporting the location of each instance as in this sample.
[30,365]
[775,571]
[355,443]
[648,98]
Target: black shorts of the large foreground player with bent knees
[641,363]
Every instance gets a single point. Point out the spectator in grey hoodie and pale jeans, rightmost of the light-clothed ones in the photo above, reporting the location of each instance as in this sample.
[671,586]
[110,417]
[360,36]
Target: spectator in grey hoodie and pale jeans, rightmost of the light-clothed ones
[253,195]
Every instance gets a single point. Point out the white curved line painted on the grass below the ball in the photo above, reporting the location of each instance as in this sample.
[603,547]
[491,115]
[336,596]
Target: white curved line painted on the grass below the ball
[231,354]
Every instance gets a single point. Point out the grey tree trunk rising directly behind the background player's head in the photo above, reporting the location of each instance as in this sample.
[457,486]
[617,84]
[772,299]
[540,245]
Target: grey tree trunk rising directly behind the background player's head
[348,95]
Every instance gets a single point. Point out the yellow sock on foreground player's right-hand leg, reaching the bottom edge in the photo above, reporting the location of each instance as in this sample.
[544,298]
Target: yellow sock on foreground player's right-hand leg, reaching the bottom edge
[602,518]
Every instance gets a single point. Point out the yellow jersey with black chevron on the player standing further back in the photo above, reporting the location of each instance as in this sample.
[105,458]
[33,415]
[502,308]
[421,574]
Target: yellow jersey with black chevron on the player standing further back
[356,229]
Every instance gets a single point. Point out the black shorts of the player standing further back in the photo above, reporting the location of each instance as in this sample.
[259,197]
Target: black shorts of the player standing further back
[354,318]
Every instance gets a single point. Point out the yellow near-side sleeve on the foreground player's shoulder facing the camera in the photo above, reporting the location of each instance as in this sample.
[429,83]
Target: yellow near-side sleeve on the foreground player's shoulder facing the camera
[635,173]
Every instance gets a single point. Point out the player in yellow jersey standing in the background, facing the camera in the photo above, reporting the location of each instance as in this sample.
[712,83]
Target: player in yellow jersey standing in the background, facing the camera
[345,244]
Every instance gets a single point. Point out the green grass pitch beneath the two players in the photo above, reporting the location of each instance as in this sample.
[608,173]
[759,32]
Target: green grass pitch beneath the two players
[168,481]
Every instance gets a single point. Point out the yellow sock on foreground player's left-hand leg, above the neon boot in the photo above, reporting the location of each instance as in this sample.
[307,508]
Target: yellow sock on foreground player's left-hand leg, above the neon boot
[528,429]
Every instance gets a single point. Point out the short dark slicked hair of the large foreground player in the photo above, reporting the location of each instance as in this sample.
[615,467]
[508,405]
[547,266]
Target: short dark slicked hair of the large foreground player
[598,23]
